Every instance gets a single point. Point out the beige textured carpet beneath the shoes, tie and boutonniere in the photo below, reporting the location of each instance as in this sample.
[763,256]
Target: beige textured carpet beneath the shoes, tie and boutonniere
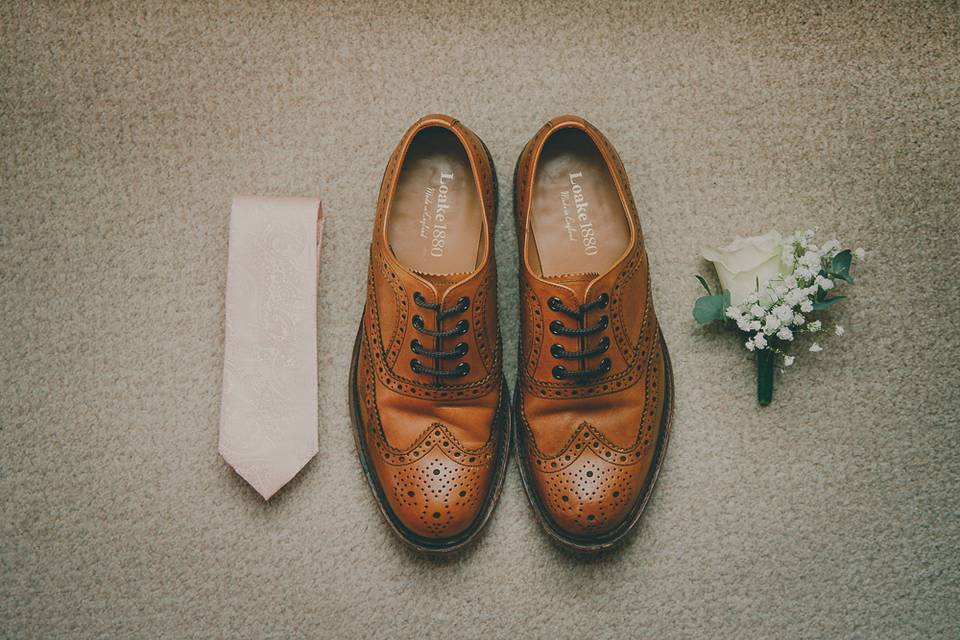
[125,131]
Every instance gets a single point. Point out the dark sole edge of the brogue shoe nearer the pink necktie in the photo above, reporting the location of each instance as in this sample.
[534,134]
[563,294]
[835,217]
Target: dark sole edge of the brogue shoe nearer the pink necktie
[502,424]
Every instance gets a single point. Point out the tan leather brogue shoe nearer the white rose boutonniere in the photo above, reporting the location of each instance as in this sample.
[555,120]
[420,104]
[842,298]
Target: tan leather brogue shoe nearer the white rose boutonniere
[594,386]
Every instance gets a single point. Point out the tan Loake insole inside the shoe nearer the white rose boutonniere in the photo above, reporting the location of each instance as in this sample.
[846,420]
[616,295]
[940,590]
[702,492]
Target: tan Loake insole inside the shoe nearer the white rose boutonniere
[577,220]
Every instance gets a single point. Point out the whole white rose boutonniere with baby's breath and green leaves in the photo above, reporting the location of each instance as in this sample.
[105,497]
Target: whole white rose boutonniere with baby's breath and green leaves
[771,288]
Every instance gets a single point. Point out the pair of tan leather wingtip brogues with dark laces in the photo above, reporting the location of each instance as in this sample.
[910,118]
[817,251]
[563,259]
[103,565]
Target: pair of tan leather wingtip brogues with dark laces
[431,411]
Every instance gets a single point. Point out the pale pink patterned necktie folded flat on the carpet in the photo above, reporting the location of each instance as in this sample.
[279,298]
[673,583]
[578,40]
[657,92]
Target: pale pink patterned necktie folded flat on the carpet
[268,411]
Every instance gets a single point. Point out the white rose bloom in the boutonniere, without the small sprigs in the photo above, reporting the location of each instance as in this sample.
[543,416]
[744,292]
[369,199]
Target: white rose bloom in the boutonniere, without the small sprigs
[745,261]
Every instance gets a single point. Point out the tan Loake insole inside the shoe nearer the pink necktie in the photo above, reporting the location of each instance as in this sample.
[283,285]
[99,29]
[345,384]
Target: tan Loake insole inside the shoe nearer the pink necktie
[435,222]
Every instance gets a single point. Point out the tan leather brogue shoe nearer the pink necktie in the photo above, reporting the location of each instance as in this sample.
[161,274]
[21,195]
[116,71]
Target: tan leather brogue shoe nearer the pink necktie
[429,405]
